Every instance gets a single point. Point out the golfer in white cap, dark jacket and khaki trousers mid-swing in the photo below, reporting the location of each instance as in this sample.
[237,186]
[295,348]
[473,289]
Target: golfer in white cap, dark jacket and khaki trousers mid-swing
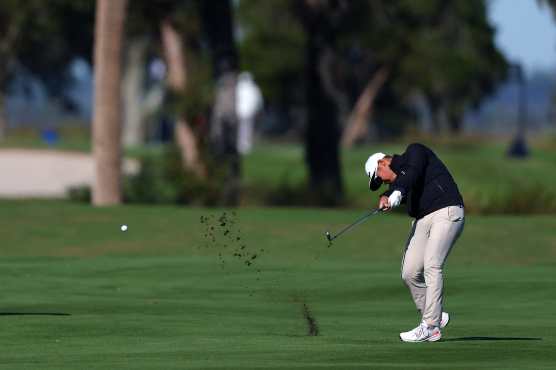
[418,178]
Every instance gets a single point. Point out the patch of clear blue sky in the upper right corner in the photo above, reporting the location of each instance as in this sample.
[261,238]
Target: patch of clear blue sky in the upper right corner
[526,32]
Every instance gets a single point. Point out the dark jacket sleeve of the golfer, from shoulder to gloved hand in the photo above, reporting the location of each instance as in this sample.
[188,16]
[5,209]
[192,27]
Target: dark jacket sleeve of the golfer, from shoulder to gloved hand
[414,168]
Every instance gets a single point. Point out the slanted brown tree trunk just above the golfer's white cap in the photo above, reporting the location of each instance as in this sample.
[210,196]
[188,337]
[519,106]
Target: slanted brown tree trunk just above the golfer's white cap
[357,126]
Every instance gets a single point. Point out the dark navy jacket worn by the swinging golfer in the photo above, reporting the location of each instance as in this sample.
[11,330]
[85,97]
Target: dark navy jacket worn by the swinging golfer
[424,181]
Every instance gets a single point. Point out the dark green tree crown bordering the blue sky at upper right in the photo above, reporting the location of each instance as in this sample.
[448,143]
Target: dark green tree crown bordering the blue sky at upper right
[454,59]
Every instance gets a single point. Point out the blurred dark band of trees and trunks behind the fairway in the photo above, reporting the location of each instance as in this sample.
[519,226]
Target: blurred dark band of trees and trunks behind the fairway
[350,69]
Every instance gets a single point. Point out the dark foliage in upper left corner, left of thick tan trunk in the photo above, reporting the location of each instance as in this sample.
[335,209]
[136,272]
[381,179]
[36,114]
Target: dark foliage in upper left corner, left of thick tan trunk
[44,37]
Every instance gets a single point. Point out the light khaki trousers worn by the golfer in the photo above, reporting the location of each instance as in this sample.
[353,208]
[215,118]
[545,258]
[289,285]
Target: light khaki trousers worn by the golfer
[429,243]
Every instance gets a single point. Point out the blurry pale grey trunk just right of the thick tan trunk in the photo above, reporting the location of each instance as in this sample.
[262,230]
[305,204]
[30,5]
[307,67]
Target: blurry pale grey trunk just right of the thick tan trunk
[133,89]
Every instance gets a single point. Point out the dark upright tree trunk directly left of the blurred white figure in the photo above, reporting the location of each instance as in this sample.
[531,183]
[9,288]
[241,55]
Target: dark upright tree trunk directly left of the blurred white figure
[217,18]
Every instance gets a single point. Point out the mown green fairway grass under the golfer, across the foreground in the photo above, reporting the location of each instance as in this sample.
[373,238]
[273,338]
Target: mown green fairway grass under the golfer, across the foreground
[77,293]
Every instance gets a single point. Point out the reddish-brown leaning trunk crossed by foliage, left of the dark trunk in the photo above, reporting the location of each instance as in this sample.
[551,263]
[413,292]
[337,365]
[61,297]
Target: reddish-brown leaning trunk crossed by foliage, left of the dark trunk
[177,80]
